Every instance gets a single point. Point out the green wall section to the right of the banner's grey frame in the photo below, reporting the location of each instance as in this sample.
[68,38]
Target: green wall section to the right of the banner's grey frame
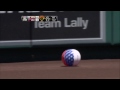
[113,27]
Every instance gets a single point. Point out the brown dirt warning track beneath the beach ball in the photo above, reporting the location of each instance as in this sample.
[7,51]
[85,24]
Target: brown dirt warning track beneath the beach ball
[87,69]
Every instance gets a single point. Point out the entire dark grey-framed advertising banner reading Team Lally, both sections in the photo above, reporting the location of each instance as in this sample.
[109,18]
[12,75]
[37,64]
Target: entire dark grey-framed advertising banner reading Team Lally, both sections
[71,27]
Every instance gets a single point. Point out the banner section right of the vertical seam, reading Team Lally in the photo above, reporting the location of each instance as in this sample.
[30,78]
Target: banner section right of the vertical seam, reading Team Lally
[71,27]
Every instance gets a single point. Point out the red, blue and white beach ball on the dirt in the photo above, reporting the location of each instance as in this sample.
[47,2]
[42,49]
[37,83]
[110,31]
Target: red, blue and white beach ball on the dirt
[71,57]
